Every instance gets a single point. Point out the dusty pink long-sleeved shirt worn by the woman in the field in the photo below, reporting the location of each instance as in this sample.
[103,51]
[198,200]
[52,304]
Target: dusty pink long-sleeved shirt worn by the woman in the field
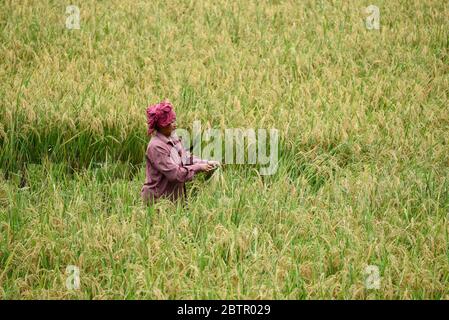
[168,167]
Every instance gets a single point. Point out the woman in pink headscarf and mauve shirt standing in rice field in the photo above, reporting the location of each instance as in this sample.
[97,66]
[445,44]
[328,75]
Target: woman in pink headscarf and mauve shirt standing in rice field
[168,165]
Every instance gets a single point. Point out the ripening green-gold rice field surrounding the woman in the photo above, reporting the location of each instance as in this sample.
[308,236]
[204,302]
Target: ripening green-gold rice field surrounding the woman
[363,175]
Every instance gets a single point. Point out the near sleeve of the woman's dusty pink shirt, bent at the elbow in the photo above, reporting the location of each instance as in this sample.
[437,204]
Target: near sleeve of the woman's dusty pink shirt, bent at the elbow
[160,157]
